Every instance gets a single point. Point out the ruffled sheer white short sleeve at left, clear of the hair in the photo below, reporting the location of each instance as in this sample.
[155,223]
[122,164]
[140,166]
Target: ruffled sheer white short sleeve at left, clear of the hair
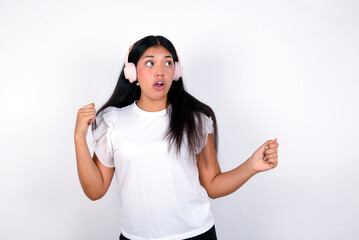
[102,142]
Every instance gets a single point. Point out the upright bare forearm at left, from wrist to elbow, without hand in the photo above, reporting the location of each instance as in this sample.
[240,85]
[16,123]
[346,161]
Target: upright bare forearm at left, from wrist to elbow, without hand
[89,174]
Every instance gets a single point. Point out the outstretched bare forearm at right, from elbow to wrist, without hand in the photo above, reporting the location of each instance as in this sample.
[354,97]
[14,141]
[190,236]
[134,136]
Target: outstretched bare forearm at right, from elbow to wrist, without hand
[228,182]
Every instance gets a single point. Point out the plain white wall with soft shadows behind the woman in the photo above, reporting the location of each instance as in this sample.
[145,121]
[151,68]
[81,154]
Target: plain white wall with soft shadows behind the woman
[285,69]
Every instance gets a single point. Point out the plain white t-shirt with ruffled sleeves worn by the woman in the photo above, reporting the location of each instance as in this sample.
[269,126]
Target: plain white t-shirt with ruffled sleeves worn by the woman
[160,193]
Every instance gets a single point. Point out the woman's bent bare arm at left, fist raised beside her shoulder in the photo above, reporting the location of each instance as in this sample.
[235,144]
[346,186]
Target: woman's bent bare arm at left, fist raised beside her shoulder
[95,178]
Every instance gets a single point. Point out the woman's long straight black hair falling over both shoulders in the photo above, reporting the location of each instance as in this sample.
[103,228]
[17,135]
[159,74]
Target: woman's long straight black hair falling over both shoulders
[185,112]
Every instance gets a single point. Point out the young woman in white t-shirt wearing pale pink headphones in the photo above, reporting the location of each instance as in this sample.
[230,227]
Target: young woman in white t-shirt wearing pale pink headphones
[162,142]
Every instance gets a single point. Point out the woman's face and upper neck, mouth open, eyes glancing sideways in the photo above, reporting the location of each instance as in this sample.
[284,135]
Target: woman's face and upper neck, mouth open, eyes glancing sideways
[155,72]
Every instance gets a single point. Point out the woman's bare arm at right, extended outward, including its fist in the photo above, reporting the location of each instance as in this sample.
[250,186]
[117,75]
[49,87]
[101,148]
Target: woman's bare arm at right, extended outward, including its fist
[220,184]
